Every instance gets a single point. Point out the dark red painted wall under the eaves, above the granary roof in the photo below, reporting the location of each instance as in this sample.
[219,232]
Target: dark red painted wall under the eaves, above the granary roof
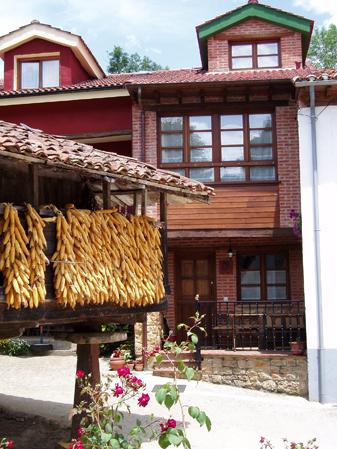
[73,117]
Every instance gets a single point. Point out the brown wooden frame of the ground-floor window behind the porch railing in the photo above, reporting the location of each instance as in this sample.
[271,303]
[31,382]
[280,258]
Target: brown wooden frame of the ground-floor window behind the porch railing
[263,274]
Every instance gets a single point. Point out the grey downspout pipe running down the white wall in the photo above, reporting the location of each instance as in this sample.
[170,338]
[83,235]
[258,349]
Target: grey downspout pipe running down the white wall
[319,314]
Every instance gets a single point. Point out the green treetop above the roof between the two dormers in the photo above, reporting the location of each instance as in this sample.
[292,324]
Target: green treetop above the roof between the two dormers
[122,62]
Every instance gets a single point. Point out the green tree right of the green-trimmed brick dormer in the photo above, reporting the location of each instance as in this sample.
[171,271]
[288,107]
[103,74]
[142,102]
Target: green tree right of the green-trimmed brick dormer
[323,48]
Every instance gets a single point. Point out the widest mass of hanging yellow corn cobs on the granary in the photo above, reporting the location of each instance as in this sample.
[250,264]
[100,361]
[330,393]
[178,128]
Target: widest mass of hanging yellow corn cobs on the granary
[104,256]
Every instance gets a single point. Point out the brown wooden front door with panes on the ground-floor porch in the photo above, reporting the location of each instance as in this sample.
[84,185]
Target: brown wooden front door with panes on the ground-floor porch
[195,275]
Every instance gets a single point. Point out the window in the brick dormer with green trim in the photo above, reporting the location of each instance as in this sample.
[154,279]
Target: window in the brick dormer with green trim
[258,55]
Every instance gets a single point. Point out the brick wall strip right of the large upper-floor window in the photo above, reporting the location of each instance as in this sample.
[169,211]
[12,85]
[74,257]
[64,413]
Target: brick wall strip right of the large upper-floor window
[288,162]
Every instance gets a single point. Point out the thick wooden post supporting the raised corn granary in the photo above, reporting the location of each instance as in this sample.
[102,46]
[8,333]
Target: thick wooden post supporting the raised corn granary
[87,361]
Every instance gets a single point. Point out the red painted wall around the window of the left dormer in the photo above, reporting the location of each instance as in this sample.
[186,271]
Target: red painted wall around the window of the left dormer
[71,70]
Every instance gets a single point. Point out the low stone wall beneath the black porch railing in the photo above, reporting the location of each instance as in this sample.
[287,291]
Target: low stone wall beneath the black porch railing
[279,373]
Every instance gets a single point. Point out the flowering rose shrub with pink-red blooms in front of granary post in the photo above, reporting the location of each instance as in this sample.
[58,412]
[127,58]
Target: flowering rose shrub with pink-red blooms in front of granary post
[102,405]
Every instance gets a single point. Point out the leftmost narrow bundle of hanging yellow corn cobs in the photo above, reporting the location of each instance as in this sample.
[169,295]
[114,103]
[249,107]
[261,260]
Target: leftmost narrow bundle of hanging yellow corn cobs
[14,260]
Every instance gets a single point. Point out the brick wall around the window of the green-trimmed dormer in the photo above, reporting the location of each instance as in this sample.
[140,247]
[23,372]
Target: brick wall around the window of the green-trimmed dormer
[218,45]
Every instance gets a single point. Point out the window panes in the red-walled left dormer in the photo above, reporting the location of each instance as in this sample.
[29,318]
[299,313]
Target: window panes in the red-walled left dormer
[35,74]
